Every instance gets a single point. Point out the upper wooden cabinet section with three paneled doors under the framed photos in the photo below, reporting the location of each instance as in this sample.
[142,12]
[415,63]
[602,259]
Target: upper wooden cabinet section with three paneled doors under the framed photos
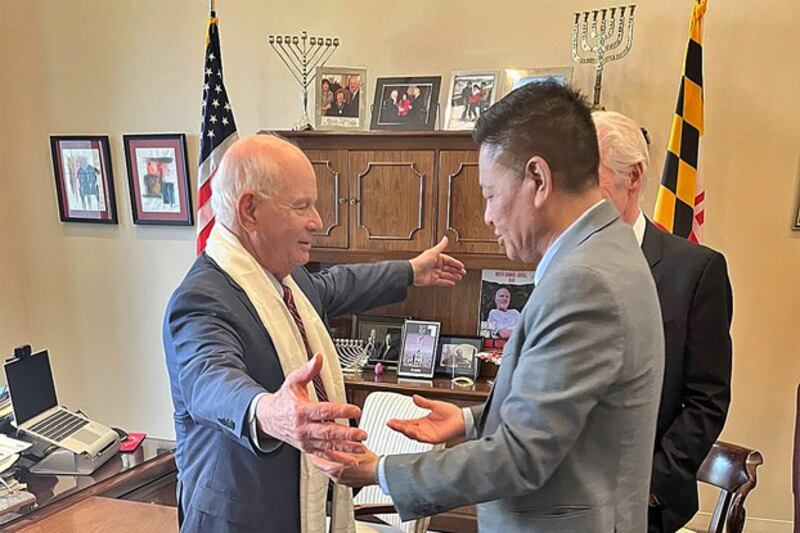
[392,194]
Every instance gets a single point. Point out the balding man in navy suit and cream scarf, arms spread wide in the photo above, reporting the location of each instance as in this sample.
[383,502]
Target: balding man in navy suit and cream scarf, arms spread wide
[245,338]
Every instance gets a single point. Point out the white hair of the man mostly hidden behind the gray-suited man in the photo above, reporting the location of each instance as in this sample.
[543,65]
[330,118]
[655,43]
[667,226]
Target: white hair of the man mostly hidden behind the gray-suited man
[622,144]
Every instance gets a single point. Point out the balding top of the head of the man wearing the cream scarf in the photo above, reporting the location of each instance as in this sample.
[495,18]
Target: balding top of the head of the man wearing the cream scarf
[258,163]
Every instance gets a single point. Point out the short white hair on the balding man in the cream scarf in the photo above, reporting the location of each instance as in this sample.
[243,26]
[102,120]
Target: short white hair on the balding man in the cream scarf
[240,171]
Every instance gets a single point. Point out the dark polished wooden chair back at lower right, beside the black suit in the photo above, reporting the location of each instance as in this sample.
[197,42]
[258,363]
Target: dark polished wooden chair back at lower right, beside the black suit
[732,469]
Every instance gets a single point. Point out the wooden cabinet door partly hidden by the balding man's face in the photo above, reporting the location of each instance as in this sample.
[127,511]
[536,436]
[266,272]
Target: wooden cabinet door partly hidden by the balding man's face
[330,167]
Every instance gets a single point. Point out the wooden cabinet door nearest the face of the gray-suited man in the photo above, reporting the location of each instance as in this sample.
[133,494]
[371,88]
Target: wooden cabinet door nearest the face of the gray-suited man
[461,205]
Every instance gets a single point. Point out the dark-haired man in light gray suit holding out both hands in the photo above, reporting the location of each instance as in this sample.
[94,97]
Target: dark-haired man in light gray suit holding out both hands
[565,441]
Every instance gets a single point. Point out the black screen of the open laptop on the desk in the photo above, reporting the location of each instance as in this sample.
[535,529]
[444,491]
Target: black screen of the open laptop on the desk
[30,384]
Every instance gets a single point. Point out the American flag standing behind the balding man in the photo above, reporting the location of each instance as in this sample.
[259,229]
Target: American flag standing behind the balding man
[217,131]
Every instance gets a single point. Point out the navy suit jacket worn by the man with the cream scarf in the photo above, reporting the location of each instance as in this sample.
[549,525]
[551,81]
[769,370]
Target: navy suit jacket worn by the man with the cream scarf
[219,356]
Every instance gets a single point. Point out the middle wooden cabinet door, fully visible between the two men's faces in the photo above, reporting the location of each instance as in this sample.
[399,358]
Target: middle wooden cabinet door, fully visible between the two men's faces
[392,195]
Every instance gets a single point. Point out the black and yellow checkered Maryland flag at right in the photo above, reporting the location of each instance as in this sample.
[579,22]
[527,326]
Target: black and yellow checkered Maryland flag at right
[680,202]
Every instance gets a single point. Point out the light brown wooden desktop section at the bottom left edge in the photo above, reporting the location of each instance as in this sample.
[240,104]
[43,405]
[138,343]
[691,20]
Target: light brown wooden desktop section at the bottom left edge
[100,515]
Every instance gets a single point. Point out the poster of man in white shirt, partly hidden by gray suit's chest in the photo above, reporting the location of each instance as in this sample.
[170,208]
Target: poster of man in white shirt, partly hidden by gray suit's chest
[504,294]
